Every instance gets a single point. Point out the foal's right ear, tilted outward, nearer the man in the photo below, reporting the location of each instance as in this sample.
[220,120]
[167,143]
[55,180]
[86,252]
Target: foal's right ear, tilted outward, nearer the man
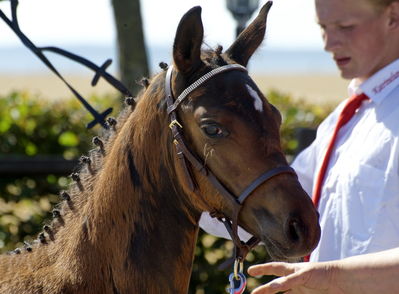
[249,39]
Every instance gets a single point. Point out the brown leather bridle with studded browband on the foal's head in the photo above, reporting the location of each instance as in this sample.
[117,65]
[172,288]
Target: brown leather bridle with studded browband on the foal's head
[187,159]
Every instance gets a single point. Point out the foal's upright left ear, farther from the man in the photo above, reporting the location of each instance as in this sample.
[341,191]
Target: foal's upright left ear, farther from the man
[188,41]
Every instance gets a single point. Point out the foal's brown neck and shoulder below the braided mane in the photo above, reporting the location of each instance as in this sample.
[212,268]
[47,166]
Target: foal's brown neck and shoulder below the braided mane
[128,227]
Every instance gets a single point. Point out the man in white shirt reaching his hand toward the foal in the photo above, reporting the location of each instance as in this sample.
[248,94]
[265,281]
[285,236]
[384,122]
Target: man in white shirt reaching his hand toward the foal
[359,199]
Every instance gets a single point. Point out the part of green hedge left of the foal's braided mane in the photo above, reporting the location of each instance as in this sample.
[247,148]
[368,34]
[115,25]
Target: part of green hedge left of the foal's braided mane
[31,126]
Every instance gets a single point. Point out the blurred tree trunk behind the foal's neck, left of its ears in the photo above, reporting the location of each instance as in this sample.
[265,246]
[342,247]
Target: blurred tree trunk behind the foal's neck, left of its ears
[133,63]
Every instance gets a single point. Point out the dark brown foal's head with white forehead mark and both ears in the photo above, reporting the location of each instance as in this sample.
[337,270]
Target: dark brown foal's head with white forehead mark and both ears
[232,128]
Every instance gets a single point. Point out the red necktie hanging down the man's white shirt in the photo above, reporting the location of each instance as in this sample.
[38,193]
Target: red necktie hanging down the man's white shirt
[347,113]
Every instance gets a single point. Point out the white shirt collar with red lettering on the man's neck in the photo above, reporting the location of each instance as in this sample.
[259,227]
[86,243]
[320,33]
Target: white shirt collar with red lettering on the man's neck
[379,85]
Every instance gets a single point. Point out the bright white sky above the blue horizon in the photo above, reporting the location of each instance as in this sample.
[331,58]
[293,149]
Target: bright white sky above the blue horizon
[291,23]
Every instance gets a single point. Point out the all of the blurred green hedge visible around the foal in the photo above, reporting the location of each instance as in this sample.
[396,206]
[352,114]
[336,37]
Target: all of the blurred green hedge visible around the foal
[31,126]
